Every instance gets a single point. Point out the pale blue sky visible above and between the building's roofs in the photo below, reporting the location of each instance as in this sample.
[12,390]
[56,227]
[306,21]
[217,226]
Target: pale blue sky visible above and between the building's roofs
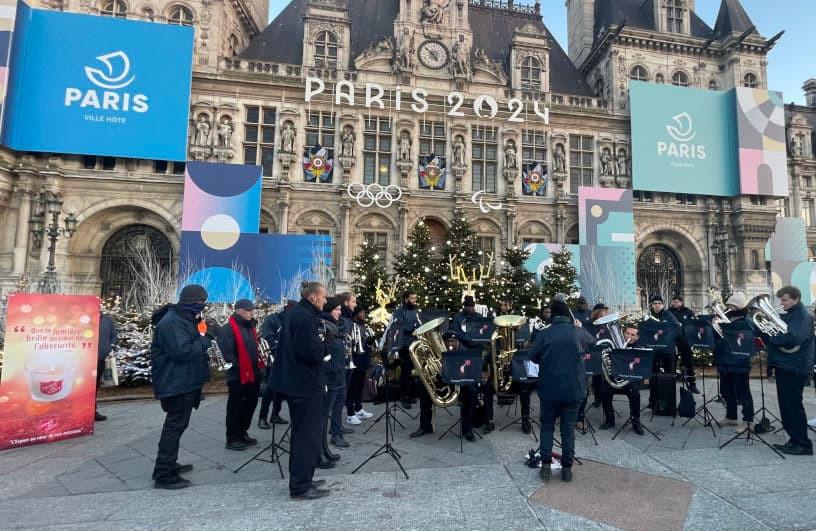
[790,63]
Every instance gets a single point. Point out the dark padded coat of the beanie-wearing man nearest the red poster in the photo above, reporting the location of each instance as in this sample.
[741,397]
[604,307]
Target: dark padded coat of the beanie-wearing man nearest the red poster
[180,361]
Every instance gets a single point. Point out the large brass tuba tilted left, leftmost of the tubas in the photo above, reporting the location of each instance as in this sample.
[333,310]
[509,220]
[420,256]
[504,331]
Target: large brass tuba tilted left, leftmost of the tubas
[426,354]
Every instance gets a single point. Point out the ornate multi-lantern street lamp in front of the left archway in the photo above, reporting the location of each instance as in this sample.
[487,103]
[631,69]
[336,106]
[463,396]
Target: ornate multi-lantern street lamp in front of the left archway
[45,224]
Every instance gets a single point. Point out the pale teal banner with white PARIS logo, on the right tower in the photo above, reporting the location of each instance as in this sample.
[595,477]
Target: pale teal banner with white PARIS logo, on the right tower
[683,140]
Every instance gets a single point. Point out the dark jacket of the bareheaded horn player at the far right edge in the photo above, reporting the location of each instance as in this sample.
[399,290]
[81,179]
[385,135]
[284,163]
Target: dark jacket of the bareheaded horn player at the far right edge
[799,334]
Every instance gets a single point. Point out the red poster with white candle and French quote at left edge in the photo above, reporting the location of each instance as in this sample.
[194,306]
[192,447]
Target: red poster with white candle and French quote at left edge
[48,383]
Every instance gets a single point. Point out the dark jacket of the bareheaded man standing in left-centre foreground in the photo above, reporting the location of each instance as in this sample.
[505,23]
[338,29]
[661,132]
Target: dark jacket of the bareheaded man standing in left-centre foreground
[299,365]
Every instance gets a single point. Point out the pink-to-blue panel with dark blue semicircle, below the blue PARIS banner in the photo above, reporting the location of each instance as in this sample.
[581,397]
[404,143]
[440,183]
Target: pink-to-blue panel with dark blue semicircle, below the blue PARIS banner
[221,198]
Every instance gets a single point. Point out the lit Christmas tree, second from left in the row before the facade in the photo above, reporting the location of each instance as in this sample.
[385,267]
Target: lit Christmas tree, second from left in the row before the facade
[414,264]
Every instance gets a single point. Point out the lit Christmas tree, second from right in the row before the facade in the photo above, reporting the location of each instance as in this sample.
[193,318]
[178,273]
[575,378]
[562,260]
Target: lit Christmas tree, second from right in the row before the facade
[515,284]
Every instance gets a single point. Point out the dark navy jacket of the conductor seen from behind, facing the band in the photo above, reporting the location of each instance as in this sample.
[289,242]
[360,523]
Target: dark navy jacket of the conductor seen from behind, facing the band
[559,351]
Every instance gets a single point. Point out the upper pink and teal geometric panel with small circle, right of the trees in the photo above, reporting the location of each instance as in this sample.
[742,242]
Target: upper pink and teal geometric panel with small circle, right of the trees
[605,217]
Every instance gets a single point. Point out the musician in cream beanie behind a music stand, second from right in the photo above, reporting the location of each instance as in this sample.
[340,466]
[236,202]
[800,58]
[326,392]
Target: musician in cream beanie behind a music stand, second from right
[734,370]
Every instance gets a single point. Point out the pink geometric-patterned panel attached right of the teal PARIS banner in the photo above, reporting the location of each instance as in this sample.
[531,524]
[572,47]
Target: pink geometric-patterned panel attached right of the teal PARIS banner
[763,157]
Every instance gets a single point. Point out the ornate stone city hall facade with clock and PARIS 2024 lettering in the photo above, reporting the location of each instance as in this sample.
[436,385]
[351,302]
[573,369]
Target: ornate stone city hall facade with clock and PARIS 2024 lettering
[249,105]
